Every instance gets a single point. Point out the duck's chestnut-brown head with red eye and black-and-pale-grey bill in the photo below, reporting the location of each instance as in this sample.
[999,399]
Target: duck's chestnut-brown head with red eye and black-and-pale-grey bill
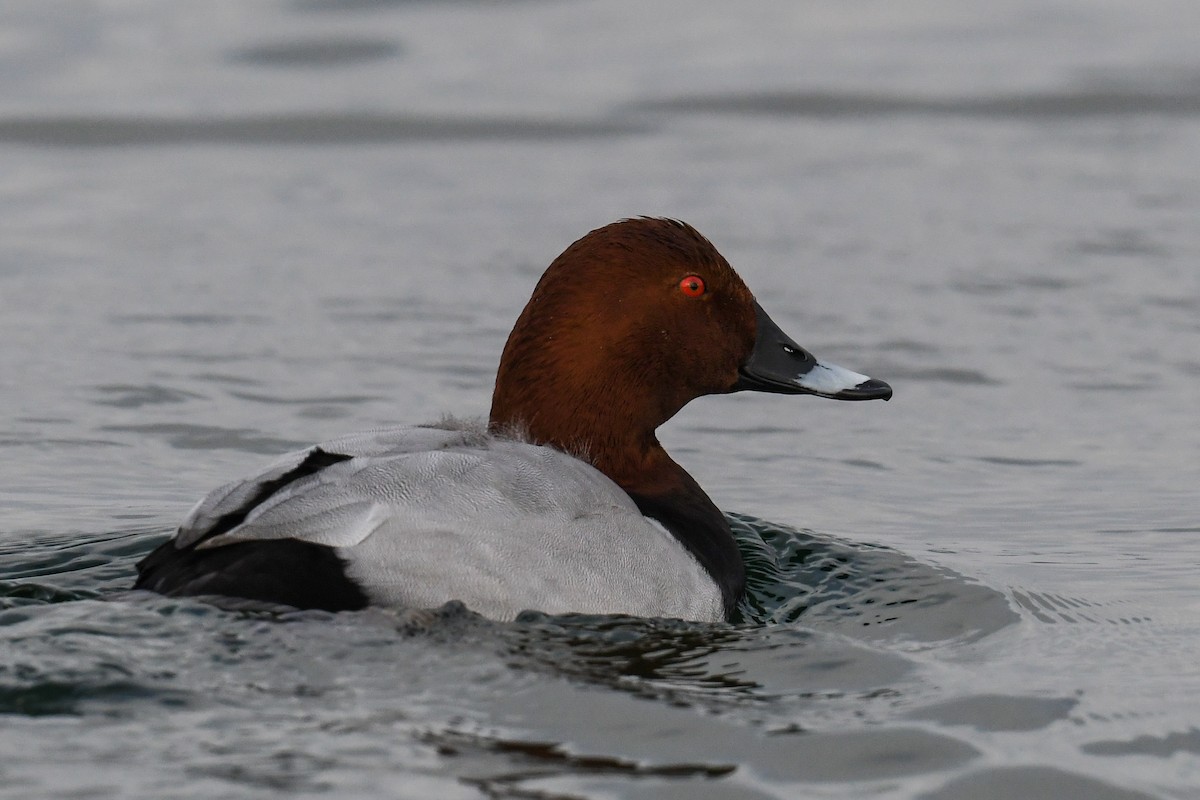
[633,322]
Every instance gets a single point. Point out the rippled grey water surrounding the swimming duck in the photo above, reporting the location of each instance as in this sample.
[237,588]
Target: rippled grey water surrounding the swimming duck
[230,230]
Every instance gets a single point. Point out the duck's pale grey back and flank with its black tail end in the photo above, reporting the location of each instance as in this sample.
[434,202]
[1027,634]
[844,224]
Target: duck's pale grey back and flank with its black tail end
[421,516]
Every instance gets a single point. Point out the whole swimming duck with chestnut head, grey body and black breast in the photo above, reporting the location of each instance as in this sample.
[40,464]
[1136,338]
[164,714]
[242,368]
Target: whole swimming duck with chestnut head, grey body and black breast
[563,501]
